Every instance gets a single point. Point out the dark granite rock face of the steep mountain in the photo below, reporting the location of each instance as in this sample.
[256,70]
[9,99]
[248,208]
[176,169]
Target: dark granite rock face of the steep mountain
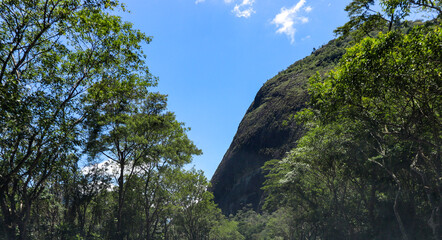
[267,132]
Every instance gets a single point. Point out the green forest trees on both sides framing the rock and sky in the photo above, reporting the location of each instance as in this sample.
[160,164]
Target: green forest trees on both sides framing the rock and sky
[88,149]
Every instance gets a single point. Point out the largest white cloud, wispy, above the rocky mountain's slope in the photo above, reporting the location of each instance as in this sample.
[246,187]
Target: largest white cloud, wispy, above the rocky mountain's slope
[287,18]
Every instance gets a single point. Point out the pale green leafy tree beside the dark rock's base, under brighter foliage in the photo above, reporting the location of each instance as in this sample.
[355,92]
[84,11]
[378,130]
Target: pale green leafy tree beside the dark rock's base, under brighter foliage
[320,182]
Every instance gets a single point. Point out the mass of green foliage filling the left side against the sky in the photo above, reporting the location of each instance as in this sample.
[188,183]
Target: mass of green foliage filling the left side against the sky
[74,84]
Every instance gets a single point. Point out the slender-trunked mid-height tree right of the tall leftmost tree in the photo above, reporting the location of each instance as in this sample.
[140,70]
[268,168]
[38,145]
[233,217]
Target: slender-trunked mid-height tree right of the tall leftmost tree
[130,126]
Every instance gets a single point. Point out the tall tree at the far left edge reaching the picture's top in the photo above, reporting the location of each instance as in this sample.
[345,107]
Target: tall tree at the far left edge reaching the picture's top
[51,52]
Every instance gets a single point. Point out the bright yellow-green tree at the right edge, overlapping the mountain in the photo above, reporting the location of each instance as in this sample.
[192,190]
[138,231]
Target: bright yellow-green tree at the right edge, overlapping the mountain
[391,85]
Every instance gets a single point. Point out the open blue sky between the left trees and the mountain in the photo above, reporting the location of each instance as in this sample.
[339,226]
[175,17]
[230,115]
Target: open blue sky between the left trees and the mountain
[212,56]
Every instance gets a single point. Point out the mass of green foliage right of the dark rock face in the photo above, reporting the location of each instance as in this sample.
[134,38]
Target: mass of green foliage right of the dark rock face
[372,150]
